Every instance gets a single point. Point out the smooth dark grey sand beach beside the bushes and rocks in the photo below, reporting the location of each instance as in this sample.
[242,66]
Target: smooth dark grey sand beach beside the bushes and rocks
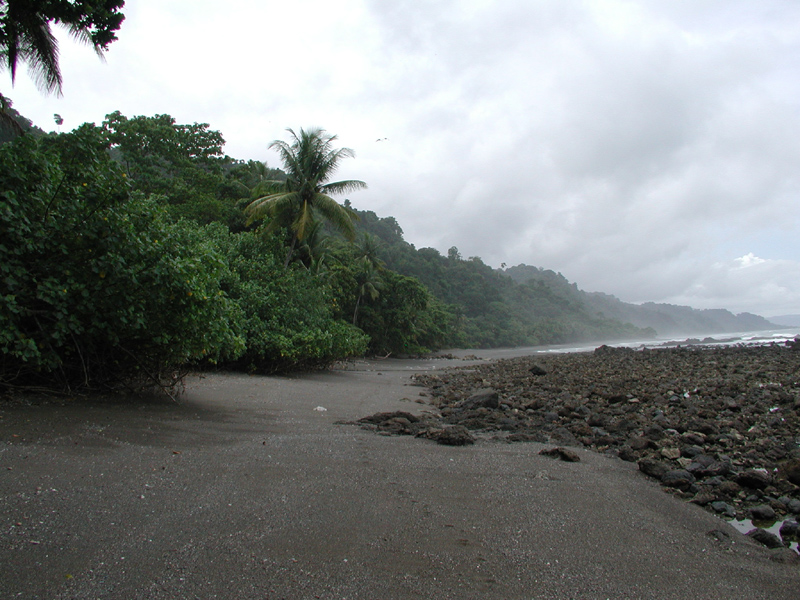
[245,490]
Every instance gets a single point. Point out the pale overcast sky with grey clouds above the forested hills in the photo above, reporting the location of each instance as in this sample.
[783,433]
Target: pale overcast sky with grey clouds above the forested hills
[647,149]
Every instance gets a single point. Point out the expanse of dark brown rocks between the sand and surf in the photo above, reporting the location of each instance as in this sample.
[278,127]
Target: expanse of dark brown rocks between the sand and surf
[717,426]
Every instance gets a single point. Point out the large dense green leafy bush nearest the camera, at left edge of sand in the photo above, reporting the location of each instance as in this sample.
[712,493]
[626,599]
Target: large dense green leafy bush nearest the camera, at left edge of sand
[97,287]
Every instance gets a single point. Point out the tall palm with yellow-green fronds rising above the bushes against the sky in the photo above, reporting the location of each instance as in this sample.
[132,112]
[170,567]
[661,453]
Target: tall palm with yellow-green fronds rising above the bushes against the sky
[309,161]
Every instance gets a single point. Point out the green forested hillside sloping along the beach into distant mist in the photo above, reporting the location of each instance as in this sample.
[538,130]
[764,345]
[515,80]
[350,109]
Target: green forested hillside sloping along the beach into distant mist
[136,249]
